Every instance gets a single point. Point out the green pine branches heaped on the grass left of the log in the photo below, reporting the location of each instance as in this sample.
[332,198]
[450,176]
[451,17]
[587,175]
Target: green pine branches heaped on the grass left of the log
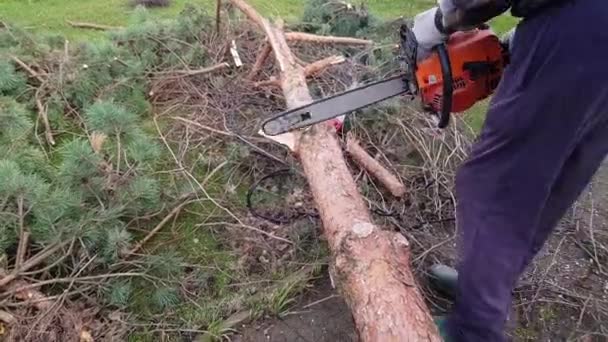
[104,195]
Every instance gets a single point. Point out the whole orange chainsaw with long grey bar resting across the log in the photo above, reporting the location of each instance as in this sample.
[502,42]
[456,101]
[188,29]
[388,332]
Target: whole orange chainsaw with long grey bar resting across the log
[458,73]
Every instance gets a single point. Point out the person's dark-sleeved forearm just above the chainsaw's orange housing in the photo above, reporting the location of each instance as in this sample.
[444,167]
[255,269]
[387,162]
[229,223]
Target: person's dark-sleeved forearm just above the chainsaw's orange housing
[460,15]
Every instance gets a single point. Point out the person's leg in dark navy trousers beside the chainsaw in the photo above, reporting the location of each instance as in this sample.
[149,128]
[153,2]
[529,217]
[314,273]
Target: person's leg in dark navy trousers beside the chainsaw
[534,125]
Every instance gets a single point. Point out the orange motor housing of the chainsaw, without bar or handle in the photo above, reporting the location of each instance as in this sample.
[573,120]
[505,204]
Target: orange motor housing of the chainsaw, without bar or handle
[477,59]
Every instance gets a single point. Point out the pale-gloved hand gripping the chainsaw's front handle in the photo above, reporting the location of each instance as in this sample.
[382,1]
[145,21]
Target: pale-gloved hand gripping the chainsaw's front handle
[427,33]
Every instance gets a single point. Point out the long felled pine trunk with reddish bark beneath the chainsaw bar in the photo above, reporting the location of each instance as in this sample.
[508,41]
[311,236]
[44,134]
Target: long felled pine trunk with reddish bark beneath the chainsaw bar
[372,265]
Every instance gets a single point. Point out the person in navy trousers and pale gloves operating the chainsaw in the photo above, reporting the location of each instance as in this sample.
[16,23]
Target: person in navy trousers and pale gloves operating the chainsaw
[545,135]
